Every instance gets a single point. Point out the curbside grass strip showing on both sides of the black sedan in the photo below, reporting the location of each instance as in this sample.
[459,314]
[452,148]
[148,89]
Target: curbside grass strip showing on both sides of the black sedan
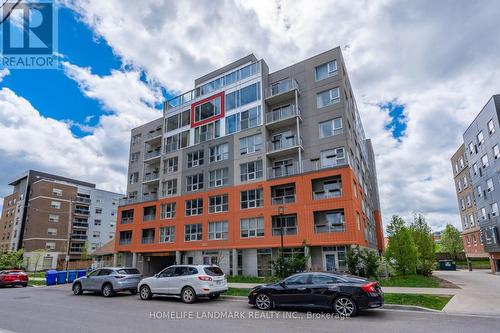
[427,301]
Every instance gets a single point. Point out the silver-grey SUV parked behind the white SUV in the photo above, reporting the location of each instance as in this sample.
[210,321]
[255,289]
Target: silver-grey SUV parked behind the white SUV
[108,281]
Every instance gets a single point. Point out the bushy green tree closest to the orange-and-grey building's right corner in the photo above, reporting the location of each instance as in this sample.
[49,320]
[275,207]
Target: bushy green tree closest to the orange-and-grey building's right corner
[401,250]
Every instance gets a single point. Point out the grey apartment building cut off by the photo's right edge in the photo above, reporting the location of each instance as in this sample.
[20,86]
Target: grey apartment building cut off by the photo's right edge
[482,152]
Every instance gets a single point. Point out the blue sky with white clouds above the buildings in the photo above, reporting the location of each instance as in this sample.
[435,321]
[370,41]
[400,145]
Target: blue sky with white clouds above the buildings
[420,71]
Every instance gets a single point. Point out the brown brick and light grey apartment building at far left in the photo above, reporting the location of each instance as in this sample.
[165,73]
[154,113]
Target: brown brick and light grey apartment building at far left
[53,218]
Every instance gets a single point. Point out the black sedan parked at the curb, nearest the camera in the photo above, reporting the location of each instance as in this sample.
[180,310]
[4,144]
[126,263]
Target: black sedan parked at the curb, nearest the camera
[344,294]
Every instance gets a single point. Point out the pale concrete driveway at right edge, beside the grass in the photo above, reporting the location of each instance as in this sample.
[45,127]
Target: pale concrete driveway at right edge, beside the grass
[479,293]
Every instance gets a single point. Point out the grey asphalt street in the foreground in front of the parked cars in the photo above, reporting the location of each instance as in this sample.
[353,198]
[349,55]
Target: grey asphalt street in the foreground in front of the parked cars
[56,309]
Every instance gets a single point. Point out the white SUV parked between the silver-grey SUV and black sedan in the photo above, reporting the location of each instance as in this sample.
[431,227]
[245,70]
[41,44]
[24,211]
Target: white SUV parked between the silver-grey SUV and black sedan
[187,281]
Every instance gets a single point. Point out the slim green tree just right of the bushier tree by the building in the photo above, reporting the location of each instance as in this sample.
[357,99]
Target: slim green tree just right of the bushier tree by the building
[426,249]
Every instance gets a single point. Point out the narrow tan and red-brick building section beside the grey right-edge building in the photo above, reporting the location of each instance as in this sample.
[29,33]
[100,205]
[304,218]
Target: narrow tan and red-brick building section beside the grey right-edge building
[473,244]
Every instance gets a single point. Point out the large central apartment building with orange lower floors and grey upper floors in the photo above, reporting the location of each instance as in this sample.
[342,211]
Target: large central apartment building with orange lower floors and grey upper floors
[245,159]
